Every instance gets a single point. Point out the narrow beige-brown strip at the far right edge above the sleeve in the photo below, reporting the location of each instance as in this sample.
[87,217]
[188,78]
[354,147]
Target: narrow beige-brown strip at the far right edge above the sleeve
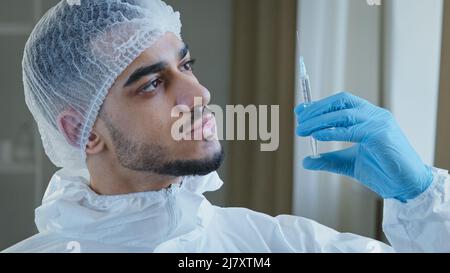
[443,124]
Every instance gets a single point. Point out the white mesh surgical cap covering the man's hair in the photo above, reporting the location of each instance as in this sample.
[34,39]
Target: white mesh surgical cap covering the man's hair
[74,55]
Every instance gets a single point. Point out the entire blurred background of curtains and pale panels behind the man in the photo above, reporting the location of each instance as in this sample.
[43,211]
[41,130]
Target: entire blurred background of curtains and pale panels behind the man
[388,54]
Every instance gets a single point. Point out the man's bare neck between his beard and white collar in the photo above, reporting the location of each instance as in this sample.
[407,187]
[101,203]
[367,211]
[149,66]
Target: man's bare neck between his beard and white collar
[113,179]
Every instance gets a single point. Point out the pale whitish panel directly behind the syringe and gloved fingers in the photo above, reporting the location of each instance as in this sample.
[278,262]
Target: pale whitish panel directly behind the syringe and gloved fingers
[340,41]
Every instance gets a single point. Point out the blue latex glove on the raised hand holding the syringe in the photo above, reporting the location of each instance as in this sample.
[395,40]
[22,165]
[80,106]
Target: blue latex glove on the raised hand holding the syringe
[382,158]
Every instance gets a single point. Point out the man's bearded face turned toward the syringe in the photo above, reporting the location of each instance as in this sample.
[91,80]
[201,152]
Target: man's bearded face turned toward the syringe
[137,114]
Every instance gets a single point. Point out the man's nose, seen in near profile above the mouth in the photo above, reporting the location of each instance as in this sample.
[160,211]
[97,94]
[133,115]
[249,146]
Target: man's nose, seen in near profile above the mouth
[187,88]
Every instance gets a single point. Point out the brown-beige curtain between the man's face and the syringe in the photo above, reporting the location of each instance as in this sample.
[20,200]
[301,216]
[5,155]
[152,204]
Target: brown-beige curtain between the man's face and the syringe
[263,74]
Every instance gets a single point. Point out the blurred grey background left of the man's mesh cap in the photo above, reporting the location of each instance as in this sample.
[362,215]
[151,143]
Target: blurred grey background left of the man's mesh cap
[24,169]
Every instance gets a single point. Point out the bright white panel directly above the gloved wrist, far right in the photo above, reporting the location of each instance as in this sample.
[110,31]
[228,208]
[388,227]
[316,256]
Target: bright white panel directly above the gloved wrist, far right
[413,43]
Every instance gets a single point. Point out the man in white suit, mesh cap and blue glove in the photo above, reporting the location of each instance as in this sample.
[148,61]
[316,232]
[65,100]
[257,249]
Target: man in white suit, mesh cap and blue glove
[101,79]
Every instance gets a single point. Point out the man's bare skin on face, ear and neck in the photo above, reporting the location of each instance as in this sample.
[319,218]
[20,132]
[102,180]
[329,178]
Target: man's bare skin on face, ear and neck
[131,148]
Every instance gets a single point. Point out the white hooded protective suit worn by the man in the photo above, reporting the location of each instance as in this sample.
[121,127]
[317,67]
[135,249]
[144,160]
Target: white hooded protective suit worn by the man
[180,219]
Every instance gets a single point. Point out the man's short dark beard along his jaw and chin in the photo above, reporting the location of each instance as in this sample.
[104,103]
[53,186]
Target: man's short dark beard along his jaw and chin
[152,157]
